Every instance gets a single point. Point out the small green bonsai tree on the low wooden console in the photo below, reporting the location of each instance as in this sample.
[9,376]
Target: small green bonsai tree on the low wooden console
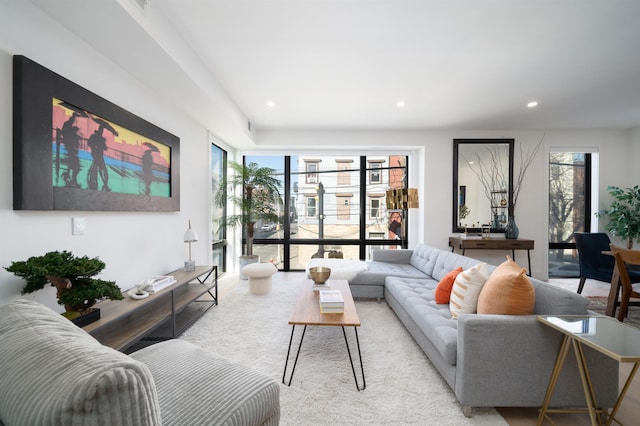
[72,276]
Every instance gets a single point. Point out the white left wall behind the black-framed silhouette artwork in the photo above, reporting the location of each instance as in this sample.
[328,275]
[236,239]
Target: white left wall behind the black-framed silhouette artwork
[134,245]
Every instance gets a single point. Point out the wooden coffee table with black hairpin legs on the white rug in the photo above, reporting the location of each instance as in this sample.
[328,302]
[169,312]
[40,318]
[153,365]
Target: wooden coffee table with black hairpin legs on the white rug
[307,313]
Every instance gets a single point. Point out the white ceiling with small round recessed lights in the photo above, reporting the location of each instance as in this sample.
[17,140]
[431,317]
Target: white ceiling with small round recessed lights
[343,64]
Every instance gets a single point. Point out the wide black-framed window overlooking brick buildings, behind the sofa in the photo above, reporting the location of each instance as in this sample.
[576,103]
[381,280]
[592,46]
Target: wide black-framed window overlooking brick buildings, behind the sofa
[335,207]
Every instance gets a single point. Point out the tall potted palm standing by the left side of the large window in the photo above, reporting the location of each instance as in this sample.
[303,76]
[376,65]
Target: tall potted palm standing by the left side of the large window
[259,200]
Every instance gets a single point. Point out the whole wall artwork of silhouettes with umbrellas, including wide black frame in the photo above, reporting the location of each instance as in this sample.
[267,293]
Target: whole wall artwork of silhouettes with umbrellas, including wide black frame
[74,150]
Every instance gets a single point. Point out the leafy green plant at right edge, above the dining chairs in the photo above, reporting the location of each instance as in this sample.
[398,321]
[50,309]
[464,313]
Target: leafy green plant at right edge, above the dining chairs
[623,213]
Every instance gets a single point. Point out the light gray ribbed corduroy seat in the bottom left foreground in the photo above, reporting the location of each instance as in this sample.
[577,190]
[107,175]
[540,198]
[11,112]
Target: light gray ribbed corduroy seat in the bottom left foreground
[54,373]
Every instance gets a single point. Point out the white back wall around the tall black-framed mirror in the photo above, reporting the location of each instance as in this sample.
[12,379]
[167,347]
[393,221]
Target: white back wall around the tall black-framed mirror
[431,171]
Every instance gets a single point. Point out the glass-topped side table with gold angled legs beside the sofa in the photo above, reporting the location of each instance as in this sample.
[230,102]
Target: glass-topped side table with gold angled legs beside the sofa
[604,334]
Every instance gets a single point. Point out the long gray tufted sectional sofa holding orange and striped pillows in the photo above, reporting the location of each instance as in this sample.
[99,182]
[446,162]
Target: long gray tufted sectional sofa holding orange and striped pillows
[487,360]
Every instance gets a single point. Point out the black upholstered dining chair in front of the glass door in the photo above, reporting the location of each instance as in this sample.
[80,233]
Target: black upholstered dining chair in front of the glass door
[593,264]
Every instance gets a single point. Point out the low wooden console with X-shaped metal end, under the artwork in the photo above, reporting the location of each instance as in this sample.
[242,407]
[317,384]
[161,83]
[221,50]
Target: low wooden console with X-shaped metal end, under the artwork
[128,325]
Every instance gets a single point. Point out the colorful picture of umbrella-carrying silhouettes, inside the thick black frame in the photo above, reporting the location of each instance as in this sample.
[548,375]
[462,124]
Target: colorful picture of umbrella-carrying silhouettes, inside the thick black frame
[92,153]
